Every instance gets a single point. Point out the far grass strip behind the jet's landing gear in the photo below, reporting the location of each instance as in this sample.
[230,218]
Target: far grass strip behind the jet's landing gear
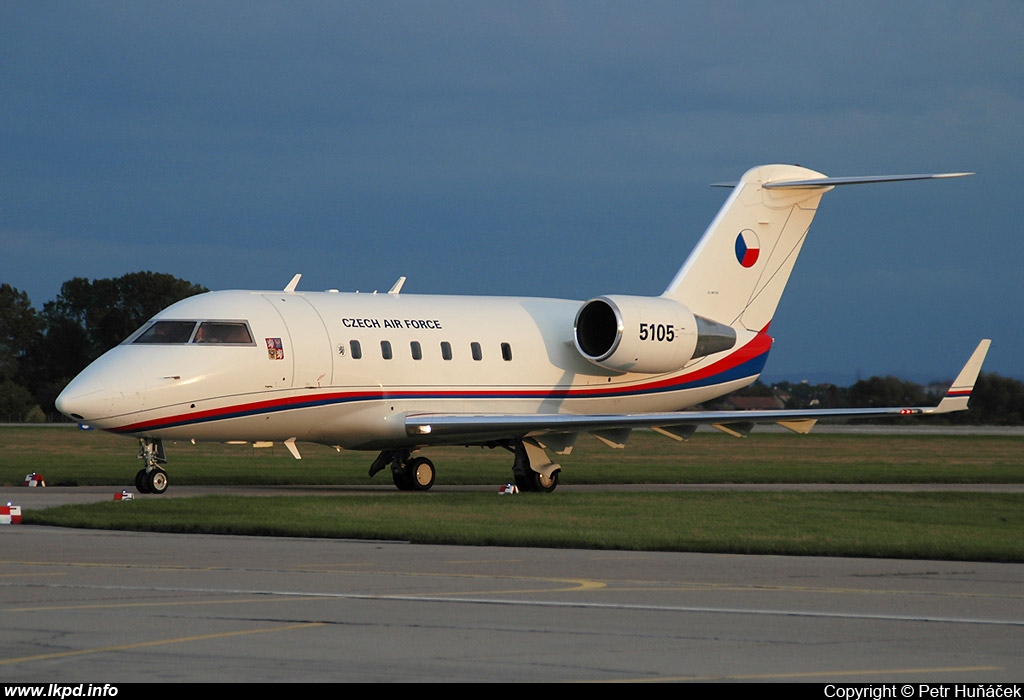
[69,457]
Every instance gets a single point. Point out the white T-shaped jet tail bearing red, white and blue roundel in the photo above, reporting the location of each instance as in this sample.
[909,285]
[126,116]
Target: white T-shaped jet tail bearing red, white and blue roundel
[740,269]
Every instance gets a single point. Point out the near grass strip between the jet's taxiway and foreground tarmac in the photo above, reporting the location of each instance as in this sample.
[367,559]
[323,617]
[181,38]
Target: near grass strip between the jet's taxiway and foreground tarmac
[956,527]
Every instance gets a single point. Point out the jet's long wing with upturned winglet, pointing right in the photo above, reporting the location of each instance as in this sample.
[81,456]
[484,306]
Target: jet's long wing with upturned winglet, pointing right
[614,429]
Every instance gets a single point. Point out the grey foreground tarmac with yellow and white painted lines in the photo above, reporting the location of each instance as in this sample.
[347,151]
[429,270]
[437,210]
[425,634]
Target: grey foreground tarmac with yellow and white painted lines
[81,606]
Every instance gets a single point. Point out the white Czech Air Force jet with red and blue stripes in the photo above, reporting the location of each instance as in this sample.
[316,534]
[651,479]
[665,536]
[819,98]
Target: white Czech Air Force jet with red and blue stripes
[397,374]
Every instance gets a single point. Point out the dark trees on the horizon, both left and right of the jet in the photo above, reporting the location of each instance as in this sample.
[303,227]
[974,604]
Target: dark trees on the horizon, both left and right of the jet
[42,352]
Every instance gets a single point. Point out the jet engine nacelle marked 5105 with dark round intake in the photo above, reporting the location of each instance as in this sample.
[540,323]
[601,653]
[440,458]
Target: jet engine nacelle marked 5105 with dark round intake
[650,335]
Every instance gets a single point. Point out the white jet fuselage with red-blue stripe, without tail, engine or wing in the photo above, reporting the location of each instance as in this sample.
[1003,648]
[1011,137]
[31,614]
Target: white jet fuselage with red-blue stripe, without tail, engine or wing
[347,369]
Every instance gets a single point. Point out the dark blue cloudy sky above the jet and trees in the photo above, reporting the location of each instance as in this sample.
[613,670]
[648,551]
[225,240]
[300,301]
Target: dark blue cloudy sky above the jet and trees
[538,149]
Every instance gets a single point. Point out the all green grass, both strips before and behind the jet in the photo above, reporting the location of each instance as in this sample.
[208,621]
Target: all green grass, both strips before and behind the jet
[931,526]
